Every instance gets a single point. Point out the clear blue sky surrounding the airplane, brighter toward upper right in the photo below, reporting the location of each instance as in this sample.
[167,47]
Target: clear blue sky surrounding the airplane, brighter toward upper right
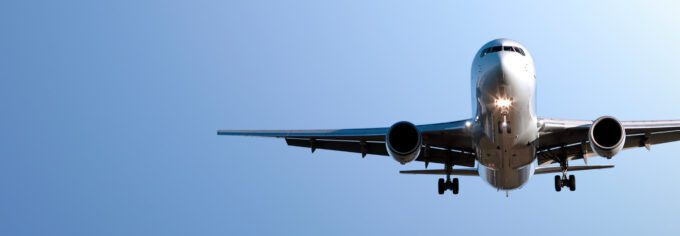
[109,111]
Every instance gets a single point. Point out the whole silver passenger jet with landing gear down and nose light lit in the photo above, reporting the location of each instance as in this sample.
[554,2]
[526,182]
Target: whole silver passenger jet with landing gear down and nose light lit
[505,143]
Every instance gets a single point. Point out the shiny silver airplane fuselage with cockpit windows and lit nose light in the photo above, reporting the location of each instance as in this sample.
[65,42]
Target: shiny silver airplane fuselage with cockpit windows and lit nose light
[505,127]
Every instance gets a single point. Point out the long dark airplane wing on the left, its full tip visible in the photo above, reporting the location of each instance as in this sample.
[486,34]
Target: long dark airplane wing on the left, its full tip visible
[441,142]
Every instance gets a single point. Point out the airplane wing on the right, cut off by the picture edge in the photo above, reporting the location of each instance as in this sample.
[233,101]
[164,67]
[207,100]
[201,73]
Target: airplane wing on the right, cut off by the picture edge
[570,137]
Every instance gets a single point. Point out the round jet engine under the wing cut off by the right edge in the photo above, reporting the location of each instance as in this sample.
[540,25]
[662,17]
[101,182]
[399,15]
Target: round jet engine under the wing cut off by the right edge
[606,136]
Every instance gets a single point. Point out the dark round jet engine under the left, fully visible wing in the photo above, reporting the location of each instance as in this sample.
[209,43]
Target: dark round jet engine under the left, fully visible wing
[403,142]
